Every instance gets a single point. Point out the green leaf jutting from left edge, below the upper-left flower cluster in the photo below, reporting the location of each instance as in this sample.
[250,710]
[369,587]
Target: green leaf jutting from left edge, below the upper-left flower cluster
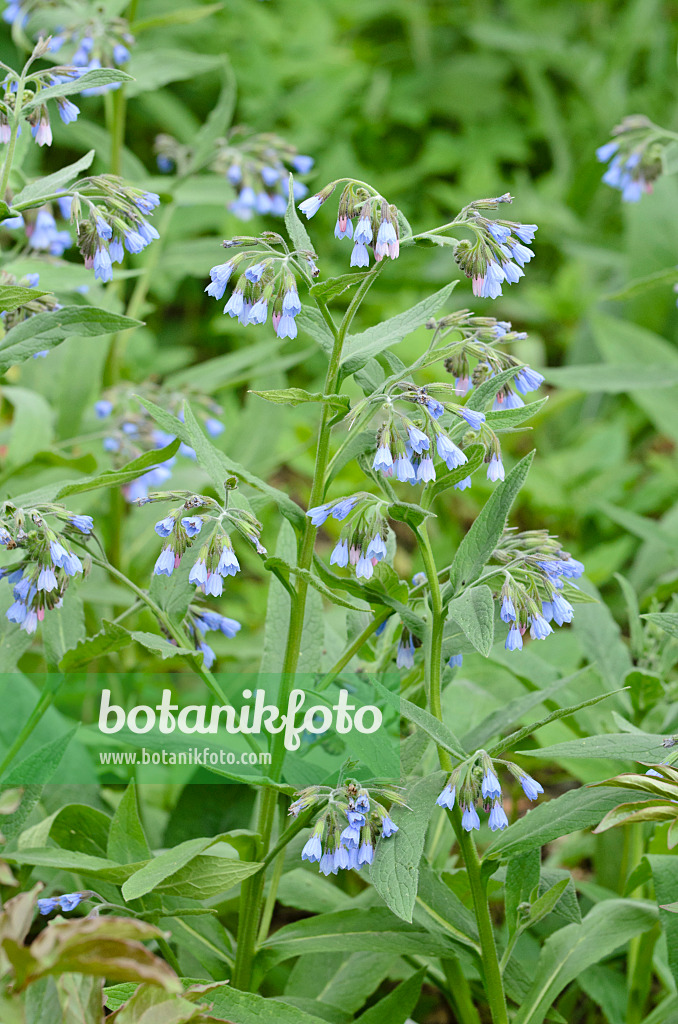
[46,331]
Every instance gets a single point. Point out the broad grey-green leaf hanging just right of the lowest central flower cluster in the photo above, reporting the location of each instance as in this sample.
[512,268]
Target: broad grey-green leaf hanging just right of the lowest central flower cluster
[395,873]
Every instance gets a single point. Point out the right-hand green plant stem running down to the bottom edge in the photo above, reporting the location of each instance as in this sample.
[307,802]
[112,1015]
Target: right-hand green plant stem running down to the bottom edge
[493,977]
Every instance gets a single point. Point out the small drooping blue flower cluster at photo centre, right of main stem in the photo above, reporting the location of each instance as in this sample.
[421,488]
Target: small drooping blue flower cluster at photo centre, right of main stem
[364,536]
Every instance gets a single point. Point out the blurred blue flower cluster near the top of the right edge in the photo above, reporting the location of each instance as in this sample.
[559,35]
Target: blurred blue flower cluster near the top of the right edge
[635,156]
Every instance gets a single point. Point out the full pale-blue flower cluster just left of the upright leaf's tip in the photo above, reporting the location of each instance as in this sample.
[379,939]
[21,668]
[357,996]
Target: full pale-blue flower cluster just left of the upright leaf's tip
[409,447]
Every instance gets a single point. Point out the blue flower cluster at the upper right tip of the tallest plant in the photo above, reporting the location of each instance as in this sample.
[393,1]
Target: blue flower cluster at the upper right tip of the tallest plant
[499,251]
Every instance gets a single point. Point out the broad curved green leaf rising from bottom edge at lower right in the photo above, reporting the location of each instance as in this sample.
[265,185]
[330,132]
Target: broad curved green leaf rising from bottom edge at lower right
[568,953]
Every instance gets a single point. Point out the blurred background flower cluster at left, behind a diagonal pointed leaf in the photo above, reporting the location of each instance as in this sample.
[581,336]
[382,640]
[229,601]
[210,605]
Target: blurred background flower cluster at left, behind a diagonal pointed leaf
[132,432]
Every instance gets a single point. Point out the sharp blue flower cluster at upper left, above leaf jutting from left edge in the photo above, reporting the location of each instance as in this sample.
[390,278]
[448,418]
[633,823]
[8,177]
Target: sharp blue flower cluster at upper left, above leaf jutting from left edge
[110,218]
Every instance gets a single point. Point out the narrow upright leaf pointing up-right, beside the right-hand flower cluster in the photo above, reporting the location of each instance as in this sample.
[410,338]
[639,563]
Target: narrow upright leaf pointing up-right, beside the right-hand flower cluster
[479,544]
